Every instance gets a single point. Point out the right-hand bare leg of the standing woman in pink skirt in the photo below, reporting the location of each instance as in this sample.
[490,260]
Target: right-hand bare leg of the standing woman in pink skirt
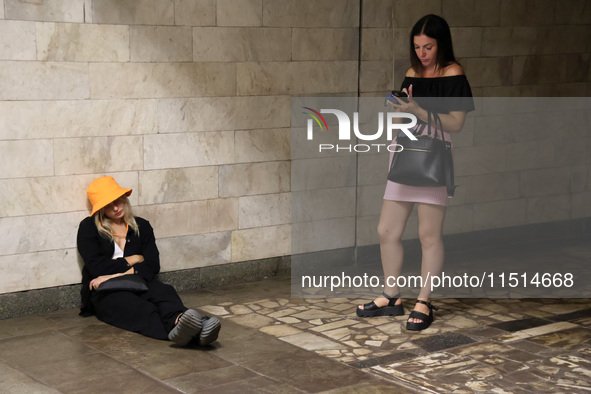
[430,234]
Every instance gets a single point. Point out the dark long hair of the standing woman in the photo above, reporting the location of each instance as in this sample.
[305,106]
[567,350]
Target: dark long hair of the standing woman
[435,27]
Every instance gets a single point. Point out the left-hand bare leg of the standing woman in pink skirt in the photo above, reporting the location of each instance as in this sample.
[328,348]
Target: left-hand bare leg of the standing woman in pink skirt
[393,220]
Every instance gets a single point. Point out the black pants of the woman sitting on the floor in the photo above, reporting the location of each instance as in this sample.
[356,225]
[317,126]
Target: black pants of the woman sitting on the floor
[152,313]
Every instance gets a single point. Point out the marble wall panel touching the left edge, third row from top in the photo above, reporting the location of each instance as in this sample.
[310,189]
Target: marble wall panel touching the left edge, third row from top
[43,81]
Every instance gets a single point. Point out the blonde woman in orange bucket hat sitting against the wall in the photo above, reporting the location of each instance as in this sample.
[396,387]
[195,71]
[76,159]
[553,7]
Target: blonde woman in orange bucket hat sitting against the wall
[113,242]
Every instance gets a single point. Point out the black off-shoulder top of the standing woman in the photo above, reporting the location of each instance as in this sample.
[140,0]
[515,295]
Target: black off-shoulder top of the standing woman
[441,94]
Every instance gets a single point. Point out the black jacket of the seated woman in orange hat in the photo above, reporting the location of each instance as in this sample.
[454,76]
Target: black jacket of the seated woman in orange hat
[97,253]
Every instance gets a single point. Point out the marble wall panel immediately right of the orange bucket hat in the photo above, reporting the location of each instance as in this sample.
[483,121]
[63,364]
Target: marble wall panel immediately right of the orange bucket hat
[178,185]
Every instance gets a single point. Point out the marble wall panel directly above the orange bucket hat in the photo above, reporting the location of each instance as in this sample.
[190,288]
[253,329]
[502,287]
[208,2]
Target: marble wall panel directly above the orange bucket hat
[97,154]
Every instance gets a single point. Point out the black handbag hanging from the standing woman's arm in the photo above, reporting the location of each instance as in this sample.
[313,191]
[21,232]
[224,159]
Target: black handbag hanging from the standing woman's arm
[426,162]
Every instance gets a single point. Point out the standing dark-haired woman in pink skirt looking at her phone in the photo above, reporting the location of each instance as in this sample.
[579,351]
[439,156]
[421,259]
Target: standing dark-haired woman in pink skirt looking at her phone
[434,73]
